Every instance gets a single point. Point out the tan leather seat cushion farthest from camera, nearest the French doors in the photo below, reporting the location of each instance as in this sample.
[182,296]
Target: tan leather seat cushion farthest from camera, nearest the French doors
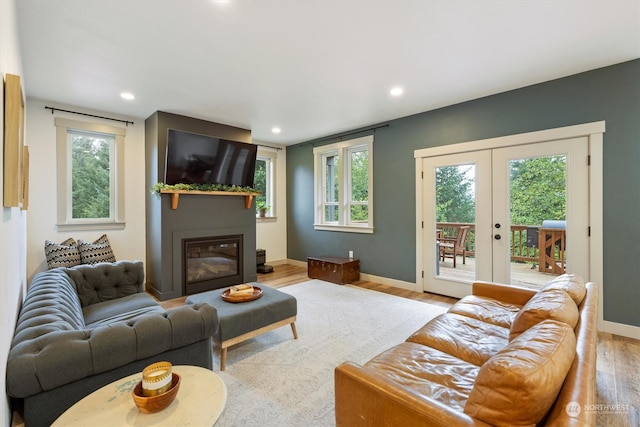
[488,310]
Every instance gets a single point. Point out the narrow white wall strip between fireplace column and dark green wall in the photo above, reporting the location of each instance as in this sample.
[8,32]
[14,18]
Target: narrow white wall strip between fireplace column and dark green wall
[271,233]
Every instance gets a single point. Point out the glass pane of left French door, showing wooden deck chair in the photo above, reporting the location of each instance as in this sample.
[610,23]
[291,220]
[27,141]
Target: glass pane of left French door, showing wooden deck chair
[455,222]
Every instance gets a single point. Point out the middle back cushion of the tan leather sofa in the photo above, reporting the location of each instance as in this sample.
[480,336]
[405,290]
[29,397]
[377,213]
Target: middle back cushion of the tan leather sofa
[552,304]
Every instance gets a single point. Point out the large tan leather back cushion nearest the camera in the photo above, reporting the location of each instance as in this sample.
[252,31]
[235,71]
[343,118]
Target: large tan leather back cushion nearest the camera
[530,370]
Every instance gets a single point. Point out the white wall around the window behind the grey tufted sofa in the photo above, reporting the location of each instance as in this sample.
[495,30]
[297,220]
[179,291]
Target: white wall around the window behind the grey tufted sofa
[127,243]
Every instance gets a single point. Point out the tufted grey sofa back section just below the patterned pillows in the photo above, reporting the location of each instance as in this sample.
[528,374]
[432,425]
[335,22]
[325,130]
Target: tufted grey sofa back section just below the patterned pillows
[106,281]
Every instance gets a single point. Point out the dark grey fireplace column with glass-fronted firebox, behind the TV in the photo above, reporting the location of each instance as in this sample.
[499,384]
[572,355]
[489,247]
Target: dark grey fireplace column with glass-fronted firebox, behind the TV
[197,216]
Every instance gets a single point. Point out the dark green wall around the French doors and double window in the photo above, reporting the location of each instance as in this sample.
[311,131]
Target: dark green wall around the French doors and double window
[611,94]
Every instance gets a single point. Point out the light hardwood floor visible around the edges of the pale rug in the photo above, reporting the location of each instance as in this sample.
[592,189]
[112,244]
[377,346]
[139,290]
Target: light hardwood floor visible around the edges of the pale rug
[618,367]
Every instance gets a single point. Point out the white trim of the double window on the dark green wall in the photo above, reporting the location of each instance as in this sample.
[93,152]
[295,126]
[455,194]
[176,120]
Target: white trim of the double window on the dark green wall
[343,149]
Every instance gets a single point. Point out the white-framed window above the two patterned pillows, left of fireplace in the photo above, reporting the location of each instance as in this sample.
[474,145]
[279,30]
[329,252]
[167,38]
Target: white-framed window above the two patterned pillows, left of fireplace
[90,160]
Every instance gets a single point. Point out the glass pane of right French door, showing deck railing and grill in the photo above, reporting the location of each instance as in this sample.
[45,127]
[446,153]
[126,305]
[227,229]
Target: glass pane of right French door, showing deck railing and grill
[538,206]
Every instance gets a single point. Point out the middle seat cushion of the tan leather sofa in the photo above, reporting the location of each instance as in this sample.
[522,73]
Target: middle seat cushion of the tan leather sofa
[463,337]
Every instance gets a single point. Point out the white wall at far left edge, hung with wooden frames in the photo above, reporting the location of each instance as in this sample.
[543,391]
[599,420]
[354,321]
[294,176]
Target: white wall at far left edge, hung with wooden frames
[13,223]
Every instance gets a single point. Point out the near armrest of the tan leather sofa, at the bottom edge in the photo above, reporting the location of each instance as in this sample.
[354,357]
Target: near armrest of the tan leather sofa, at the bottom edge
[365,398]
